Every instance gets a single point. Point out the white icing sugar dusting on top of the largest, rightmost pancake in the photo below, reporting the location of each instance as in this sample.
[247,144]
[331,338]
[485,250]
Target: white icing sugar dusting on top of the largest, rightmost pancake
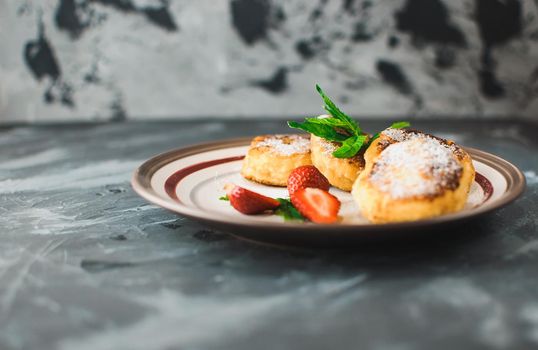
[417,166]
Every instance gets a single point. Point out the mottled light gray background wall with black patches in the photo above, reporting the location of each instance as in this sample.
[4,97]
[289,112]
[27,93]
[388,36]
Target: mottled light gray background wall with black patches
[73,60]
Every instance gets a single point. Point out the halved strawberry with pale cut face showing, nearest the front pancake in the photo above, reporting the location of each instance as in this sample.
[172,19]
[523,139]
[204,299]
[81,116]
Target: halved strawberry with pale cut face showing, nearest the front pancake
[317,205]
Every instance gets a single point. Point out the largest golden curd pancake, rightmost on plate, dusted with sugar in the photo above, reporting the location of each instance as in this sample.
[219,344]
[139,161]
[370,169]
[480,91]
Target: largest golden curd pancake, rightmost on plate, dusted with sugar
[410,175]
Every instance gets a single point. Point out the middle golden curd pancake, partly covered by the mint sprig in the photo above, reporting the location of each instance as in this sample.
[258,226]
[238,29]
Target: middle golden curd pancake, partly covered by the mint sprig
[341,172]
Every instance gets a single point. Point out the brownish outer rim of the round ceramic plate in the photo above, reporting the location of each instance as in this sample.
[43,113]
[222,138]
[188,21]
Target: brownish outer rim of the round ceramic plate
[141,184]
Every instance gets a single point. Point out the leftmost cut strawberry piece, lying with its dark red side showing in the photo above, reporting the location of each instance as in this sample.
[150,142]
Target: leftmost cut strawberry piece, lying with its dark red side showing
[248,202]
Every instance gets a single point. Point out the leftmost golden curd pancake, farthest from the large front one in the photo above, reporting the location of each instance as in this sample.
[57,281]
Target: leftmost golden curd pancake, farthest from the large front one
[271,158]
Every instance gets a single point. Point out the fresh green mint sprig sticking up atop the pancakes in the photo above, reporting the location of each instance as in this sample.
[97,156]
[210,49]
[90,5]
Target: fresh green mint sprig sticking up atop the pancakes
[339,127]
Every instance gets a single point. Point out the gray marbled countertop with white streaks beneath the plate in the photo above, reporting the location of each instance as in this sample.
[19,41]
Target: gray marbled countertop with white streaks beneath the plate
[87,264]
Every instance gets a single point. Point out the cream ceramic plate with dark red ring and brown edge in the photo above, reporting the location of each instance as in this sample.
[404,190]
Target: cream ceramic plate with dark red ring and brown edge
[190,181]
